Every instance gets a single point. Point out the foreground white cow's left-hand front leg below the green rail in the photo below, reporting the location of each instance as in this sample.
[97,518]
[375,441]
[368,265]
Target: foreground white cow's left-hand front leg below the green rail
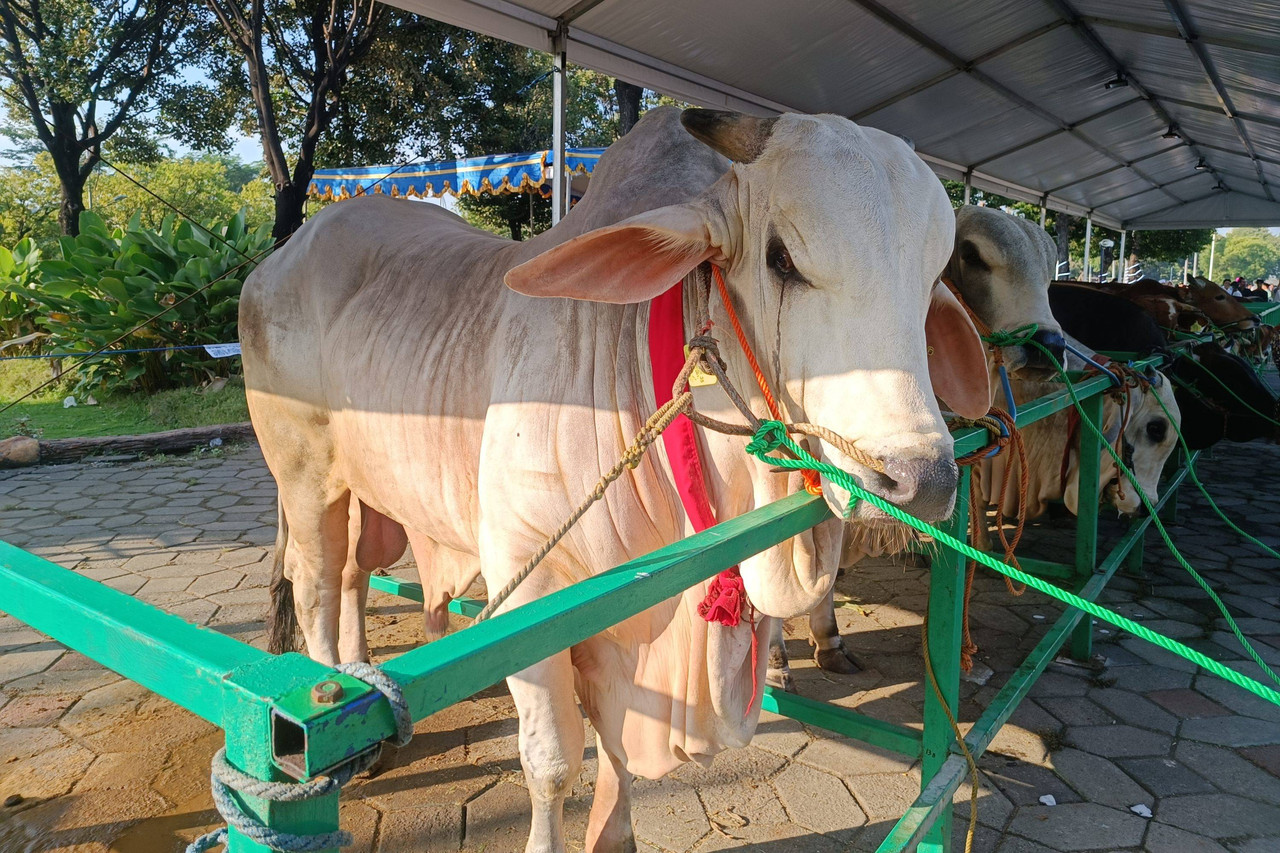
[551,746]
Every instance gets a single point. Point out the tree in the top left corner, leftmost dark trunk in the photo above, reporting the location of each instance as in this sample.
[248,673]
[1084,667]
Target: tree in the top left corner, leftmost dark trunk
[81,70]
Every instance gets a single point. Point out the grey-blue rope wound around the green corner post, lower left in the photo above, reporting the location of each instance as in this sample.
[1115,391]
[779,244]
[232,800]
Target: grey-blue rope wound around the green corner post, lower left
[227,782]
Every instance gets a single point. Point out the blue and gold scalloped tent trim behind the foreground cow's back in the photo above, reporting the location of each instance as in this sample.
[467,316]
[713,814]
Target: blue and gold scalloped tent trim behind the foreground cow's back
[499,174]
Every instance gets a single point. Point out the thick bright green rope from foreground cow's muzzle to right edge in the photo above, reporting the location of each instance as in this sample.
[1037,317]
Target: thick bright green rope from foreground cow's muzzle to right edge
[772,435]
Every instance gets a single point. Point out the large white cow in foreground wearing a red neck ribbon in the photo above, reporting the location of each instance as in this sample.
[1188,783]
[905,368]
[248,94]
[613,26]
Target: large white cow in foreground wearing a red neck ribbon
[399,362]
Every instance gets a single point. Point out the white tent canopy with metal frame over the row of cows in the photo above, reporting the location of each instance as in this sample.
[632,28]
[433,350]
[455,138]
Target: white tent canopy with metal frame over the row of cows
[1012,95]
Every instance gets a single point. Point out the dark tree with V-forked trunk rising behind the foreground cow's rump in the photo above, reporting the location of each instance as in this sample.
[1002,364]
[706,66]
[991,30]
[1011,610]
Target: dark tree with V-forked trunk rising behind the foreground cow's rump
[298,58]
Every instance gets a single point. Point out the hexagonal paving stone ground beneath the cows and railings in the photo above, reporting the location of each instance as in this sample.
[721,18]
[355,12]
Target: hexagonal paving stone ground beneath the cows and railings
[103,765]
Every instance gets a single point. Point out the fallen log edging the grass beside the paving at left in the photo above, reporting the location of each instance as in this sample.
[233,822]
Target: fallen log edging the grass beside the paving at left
[21,451]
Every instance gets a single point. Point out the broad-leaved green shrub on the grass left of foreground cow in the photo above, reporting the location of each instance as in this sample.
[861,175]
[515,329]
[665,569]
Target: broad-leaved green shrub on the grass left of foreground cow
[106,282]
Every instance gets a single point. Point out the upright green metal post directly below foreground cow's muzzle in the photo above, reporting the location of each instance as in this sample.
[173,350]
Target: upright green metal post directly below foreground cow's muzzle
[945,614]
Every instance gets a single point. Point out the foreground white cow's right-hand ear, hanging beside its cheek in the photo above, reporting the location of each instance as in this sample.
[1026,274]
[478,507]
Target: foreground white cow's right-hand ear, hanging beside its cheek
[958,361]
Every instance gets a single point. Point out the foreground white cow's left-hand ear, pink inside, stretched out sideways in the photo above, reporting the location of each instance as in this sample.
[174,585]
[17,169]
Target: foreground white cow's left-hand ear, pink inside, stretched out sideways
[630,262]
